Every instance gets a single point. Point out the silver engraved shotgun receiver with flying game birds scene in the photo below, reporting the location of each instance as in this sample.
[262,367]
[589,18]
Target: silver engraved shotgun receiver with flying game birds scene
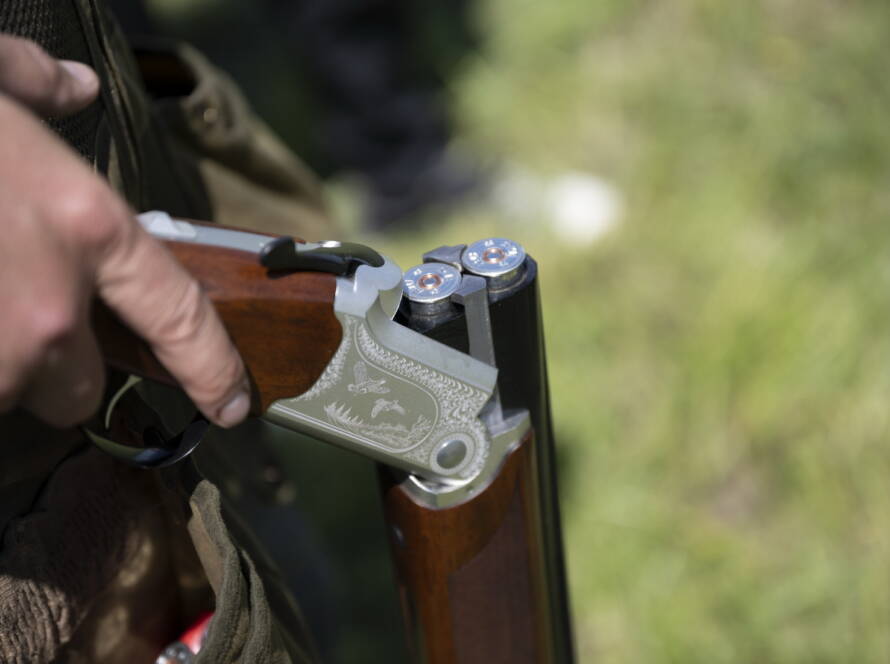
[393,394]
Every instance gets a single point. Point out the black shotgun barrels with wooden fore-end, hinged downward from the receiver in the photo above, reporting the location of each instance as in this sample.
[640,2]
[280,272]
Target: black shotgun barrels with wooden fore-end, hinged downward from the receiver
[508,590]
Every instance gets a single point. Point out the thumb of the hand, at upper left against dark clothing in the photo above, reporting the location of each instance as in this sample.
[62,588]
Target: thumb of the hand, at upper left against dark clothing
[42,83]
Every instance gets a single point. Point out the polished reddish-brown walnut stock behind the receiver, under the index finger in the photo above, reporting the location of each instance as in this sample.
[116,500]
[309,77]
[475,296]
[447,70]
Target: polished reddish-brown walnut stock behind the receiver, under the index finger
[283,325]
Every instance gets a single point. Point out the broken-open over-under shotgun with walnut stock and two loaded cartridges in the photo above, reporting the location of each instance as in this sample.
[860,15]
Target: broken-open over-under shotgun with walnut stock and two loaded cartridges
[438,374]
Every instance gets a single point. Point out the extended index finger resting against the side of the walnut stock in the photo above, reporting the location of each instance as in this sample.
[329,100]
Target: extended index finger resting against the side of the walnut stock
[151,292]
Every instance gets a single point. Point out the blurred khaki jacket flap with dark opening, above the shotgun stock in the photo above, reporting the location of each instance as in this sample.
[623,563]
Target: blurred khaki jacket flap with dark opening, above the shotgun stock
[252,180]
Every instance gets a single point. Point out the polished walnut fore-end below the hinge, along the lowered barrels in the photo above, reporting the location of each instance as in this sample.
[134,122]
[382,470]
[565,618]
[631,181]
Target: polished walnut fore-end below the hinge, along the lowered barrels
[472,576]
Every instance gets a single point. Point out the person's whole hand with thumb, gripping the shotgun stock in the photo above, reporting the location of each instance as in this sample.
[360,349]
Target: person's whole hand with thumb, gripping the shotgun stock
[67,237]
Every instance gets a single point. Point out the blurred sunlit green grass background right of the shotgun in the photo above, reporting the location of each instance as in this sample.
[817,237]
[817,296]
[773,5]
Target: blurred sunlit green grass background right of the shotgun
[719,360]
